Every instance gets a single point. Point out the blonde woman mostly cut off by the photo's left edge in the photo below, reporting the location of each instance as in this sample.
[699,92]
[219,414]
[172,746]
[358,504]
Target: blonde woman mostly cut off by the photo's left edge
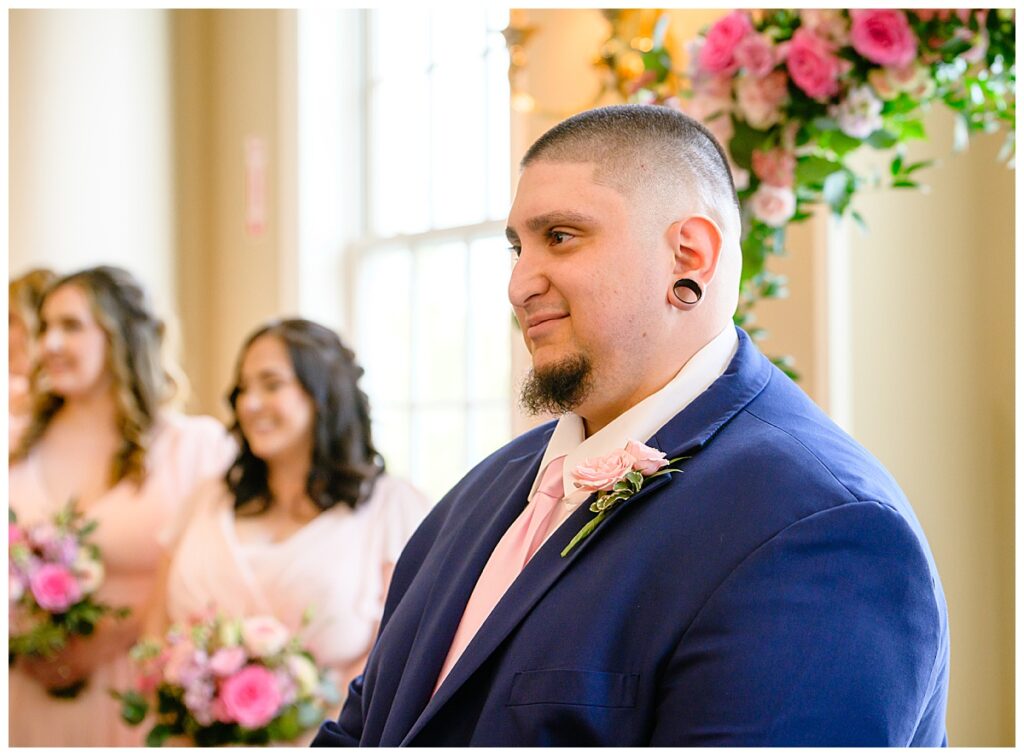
[24,296]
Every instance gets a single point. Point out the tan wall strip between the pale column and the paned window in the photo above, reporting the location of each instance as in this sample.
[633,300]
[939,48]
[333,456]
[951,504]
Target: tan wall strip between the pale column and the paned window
[232,83]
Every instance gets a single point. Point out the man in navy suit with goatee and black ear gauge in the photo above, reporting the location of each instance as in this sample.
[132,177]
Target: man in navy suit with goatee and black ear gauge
[771,586]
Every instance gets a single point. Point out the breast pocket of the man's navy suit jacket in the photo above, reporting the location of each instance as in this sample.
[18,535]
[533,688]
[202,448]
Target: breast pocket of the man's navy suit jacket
[580,688]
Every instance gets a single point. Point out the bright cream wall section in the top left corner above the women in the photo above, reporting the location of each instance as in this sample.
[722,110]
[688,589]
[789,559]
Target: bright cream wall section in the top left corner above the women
[91,164]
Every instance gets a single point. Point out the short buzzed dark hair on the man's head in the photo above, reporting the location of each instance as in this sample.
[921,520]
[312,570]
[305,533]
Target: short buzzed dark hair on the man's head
[653,148]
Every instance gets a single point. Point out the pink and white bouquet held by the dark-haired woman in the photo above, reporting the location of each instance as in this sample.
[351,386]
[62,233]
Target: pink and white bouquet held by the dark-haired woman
[217,682]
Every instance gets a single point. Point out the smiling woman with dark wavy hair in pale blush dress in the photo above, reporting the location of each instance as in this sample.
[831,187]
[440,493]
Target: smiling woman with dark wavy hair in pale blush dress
[307,517]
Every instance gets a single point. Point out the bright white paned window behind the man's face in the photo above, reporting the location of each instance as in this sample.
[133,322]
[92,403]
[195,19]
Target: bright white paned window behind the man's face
[432,317]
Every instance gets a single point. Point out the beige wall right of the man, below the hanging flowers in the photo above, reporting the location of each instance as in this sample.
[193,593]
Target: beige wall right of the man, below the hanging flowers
[932,396]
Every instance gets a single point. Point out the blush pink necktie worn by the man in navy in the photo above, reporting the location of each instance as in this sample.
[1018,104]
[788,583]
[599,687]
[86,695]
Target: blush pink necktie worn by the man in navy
[517,549]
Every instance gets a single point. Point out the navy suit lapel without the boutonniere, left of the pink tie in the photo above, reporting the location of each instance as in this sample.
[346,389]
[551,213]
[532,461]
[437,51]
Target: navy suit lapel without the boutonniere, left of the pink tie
[471,545]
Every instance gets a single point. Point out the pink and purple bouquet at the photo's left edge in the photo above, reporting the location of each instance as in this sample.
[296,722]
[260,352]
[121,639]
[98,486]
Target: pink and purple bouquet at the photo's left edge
[54,573]
